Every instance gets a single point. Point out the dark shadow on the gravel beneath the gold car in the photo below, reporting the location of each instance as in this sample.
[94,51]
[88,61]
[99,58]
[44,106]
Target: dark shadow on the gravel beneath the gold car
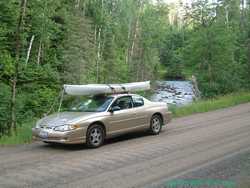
[75,147]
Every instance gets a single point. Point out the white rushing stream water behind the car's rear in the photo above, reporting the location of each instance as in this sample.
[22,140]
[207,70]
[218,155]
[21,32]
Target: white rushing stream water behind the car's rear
[174,92]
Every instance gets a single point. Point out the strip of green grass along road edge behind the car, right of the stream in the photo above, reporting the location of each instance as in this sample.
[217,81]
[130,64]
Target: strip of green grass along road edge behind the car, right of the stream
[211,104]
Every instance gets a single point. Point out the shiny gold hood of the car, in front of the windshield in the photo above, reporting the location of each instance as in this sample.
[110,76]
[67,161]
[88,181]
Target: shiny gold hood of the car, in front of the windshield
[66,118]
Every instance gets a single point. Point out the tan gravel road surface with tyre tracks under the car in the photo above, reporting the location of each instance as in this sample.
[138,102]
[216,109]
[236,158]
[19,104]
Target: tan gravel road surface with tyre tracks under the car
[134,160]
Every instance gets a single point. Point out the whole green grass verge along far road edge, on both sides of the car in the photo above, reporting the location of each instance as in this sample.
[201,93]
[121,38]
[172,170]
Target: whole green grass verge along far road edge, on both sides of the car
[24,132]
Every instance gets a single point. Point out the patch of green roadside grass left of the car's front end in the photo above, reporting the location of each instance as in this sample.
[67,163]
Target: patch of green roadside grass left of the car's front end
[22,136]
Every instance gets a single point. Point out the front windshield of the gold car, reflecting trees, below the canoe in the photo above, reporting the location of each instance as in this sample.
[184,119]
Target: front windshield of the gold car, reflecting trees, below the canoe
[92,104]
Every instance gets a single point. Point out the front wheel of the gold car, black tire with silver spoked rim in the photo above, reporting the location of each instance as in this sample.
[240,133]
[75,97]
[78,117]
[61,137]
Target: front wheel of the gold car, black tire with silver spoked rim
[95,136]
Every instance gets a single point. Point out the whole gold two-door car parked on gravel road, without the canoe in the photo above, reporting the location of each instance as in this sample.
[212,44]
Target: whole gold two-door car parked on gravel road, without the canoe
[103,116]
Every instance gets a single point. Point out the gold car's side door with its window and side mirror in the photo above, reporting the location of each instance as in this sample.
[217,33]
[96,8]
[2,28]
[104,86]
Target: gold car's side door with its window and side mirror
[123,119]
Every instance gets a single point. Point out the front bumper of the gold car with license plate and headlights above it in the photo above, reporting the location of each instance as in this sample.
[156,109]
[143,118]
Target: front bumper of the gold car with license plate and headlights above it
[76,136]
